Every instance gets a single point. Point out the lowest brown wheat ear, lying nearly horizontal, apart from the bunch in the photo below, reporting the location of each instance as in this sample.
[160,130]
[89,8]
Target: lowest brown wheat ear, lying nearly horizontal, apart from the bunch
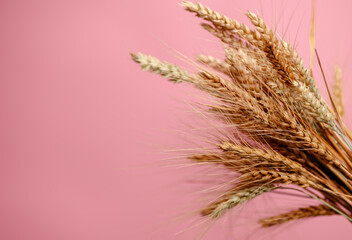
[312,211]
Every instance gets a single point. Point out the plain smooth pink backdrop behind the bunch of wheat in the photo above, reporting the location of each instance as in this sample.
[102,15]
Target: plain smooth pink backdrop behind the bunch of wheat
[82,127]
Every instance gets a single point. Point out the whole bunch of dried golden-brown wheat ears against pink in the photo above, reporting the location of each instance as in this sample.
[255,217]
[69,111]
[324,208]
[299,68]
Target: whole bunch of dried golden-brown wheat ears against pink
[284,133]
